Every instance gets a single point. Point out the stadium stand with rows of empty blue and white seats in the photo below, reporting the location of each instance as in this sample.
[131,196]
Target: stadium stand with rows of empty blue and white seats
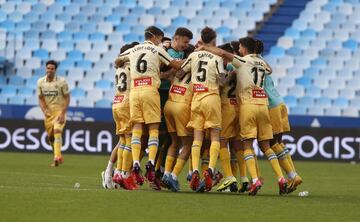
[85,36]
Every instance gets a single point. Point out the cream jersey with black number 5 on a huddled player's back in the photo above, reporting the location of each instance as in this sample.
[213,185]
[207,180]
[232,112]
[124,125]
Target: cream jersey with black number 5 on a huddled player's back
[205,70]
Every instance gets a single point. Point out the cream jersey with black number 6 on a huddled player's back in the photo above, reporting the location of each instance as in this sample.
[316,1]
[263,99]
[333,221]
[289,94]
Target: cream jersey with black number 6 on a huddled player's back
[145,60]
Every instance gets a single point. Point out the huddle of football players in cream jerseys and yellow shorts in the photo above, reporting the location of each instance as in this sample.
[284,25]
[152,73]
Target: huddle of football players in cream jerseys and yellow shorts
[220,100]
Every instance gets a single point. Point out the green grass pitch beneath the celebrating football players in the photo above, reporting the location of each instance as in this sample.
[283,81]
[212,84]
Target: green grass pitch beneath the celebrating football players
[30,190]
